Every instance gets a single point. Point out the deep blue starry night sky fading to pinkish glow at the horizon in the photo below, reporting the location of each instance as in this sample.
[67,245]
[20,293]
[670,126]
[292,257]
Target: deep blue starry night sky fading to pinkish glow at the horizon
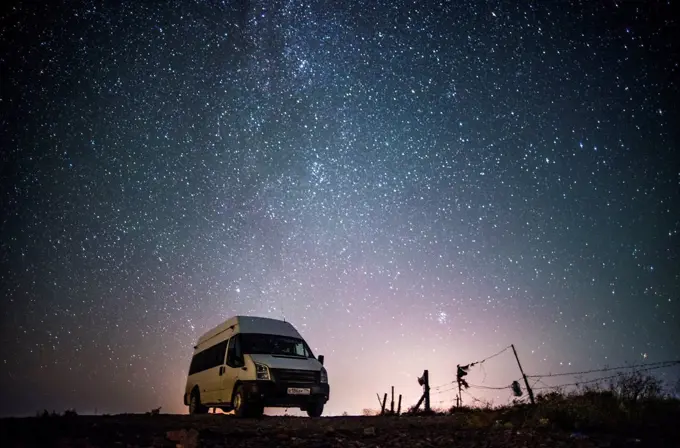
[412,184]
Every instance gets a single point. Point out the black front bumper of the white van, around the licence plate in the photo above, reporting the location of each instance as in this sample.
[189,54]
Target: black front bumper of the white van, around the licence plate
[275,394]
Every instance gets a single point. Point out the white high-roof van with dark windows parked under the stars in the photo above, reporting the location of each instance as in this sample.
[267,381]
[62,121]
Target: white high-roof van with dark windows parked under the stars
[248,363]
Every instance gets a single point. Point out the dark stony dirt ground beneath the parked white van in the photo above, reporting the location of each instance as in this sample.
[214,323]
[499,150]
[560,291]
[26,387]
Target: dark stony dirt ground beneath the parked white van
[175,431]
